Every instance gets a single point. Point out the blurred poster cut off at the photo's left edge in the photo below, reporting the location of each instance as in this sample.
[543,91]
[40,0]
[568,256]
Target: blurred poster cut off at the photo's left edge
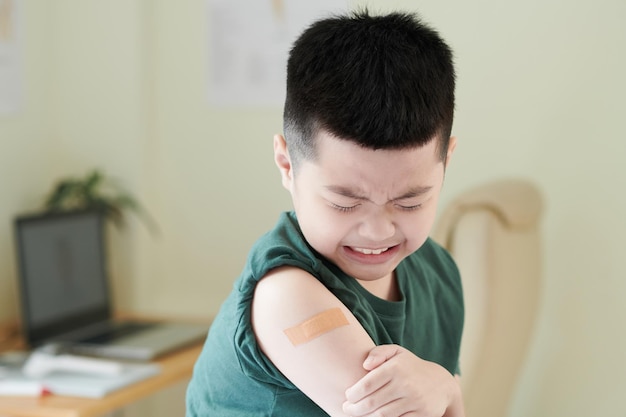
[10,69]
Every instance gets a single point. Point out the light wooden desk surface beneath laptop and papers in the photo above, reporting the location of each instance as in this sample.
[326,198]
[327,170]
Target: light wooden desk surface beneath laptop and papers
[175,367]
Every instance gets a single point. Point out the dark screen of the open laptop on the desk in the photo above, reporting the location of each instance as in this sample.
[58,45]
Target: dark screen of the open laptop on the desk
[63,272]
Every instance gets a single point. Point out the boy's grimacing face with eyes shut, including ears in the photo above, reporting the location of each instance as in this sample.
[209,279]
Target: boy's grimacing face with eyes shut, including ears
[362,209]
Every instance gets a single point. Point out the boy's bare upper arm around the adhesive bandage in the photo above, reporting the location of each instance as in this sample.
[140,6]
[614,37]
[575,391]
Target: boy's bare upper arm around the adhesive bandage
[330,362]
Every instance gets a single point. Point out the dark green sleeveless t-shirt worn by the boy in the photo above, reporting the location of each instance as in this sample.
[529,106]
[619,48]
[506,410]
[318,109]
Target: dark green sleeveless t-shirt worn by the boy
[233,378]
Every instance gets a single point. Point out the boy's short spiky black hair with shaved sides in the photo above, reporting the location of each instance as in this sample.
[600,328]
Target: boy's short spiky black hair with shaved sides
[383,82]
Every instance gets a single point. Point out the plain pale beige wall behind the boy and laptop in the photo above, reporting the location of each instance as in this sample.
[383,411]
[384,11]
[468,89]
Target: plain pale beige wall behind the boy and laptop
[121,85]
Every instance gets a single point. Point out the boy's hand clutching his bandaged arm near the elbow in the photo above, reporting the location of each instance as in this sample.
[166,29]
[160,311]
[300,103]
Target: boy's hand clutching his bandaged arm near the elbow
[398,383]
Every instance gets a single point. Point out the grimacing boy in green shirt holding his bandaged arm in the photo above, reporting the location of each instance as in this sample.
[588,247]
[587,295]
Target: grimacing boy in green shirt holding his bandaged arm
[347,308]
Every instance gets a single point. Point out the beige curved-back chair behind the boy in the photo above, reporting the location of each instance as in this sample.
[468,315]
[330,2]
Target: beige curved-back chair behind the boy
[493,232]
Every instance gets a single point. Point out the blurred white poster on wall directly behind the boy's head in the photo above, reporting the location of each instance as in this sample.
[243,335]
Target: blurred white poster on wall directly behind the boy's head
[249,41]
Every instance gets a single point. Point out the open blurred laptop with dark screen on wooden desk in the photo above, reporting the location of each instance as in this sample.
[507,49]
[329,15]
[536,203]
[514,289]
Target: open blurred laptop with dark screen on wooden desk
[66,298]
